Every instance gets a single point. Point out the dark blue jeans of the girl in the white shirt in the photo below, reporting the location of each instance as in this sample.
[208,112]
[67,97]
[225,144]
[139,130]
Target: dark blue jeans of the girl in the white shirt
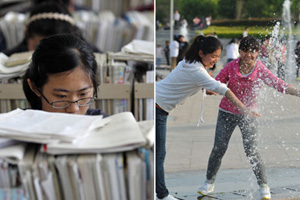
[160,144]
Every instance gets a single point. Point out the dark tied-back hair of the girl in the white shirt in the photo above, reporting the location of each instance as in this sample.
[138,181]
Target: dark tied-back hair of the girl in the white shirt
[207,44]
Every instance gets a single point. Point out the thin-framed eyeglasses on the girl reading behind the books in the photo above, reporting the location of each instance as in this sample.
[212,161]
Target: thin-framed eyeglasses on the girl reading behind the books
[64,104]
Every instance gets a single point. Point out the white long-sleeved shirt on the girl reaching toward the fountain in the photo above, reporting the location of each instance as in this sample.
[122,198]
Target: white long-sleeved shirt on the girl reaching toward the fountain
[184,81]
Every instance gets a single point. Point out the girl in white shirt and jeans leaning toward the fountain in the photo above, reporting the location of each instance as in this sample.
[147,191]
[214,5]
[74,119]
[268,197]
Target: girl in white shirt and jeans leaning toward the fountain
[188,78]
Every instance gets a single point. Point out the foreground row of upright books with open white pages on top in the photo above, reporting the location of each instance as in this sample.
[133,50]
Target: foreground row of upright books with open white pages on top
[112,160]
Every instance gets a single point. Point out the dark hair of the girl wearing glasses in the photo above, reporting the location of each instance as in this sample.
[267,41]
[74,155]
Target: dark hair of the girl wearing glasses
[56,54]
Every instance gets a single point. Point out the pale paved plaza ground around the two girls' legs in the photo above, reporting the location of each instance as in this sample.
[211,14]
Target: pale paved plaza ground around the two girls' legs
[189,146]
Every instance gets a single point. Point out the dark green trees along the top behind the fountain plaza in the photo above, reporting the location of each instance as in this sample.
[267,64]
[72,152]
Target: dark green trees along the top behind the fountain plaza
[228,9]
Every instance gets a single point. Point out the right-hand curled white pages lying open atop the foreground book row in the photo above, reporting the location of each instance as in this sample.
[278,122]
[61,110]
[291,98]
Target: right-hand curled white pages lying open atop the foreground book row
[122,132]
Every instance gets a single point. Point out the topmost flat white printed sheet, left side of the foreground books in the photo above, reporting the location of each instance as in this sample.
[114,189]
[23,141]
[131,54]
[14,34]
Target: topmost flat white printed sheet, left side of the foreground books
[50,123]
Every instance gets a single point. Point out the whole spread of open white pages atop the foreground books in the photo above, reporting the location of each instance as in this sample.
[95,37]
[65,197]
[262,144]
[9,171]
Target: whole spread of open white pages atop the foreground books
[69,133]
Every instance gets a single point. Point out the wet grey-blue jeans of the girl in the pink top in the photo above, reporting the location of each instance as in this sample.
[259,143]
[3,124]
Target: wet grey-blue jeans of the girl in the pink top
[226,124]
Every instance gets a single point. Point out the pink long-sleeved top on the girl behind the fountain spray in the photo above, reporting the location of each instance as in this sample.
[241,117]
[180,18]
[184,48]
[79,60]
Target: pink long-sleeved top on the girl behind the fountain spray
[247,88]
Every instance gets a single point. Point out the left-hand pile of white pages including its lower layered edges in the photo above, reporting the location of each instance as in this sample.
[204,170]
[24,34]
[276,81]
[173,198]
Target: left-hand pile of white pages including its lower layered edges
[46,127]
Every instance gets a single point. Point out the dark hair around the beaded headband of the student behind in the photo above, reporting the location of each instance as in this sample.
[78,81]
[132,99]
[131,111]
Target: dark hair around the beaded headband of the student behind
[47,27]
